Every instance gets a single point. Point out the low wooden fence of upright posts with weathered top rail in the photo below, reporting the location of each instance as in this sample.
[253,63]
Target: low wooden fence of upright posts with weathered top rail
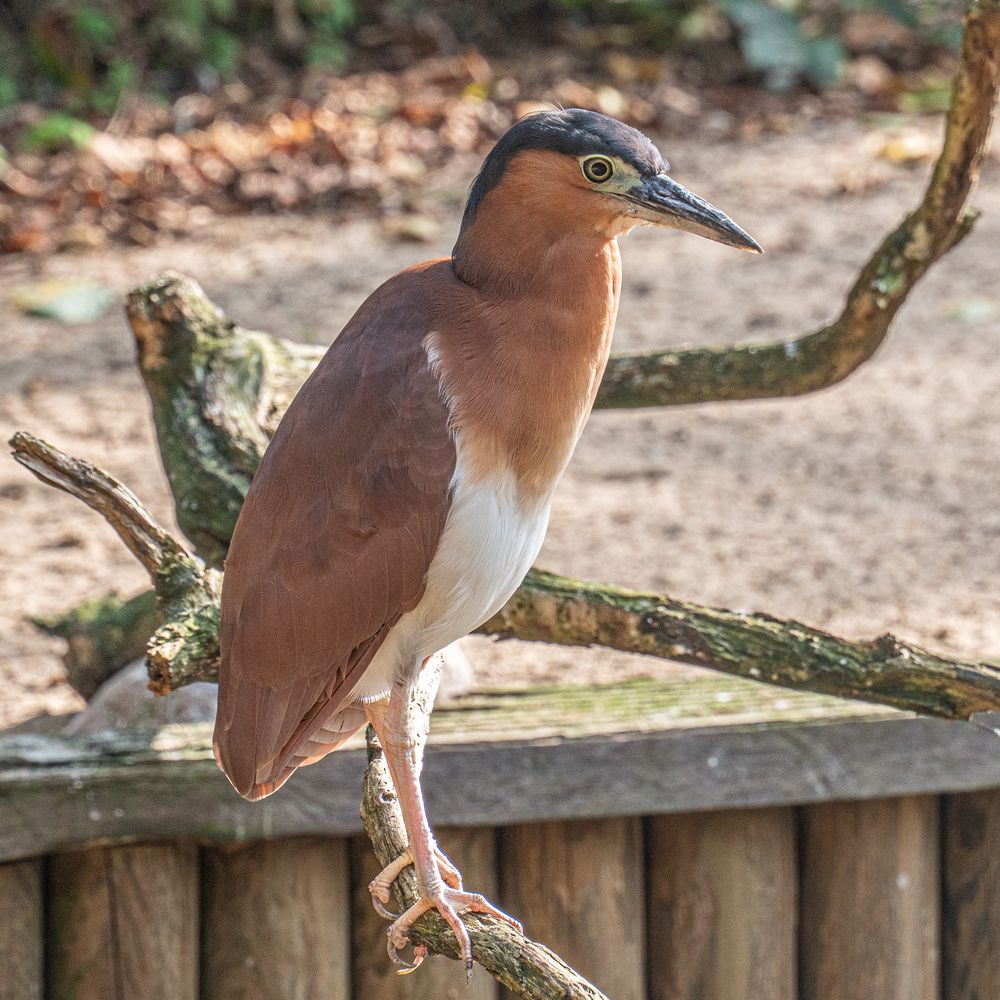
[674,840]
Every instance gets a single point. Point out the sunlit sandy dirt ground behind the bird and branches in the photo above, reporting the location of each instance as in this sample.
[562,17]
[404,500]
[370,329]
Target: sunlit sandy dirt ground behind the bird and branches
[865,508]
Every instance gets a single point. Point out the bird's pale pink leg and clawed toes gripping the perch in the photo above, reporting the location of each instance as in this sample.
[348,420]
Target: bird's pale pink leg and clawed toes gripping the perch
[401,726]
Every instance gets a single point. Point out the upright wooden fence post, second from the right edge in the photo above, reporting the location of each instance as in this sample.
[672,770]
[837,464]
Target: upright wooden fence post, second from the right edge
[871,901]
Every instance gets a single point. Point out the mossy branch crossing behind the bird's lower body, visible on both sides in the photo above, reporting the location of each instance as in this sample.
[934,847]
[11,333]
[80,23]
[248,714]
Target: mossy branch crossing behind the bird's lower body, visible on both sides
[549,608]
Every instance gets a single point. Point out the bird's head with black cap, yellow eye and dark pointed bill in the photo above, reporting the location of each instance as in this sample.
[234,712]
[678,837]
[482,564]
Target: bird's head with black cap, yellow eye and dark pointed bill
[583,169]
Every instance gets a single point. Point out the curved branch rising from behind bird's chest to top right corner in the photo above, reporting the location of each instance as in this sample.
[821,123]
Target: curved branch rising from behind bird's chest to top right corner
[827,356]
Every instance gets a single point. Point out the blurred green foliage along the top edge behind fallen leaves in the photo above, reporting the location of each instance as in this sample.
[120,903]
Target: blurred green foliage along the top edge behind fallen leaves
[85,56]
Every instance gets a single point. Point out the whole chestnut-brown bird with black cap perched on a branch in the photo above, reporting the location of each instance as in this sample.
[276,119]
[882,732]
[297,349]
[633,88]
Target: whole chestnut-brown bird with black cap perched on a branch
[407,490]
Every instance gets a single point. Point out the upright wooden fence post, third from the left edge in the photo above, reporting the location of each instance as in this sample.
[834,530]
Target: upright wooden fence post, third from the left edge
[276,921]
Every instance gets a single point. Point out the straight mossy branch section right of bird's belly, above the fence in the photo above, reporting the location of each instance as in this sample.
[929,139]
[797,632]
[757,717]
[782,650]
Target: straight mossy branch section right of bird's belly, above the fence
[886,671]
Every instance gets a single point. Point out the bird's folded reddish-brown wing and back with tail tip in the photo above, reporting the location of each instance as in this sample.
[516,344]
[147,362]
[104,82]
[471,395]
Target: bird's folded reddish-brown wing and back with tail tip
[334,539]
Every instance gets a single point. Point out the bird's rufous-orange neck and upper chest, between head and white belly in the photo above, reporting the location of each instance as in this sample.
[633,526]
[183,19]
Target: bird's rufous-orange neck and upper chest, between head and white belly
[526,357]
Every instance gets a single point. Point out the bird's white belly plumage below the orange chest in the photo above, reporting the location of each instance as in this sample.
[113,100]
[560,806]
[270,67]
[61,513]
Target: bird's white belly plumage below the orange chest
[489,542]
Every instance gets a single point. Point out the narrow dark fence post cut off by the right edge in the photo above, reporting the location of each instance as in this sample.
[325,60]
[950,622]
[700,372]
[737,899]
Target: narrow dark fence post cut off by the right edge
[971,831]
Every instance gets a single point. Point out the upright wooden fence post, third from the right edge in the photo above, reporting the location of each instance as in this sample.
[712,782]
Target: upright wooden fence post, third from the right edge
[722,891]
